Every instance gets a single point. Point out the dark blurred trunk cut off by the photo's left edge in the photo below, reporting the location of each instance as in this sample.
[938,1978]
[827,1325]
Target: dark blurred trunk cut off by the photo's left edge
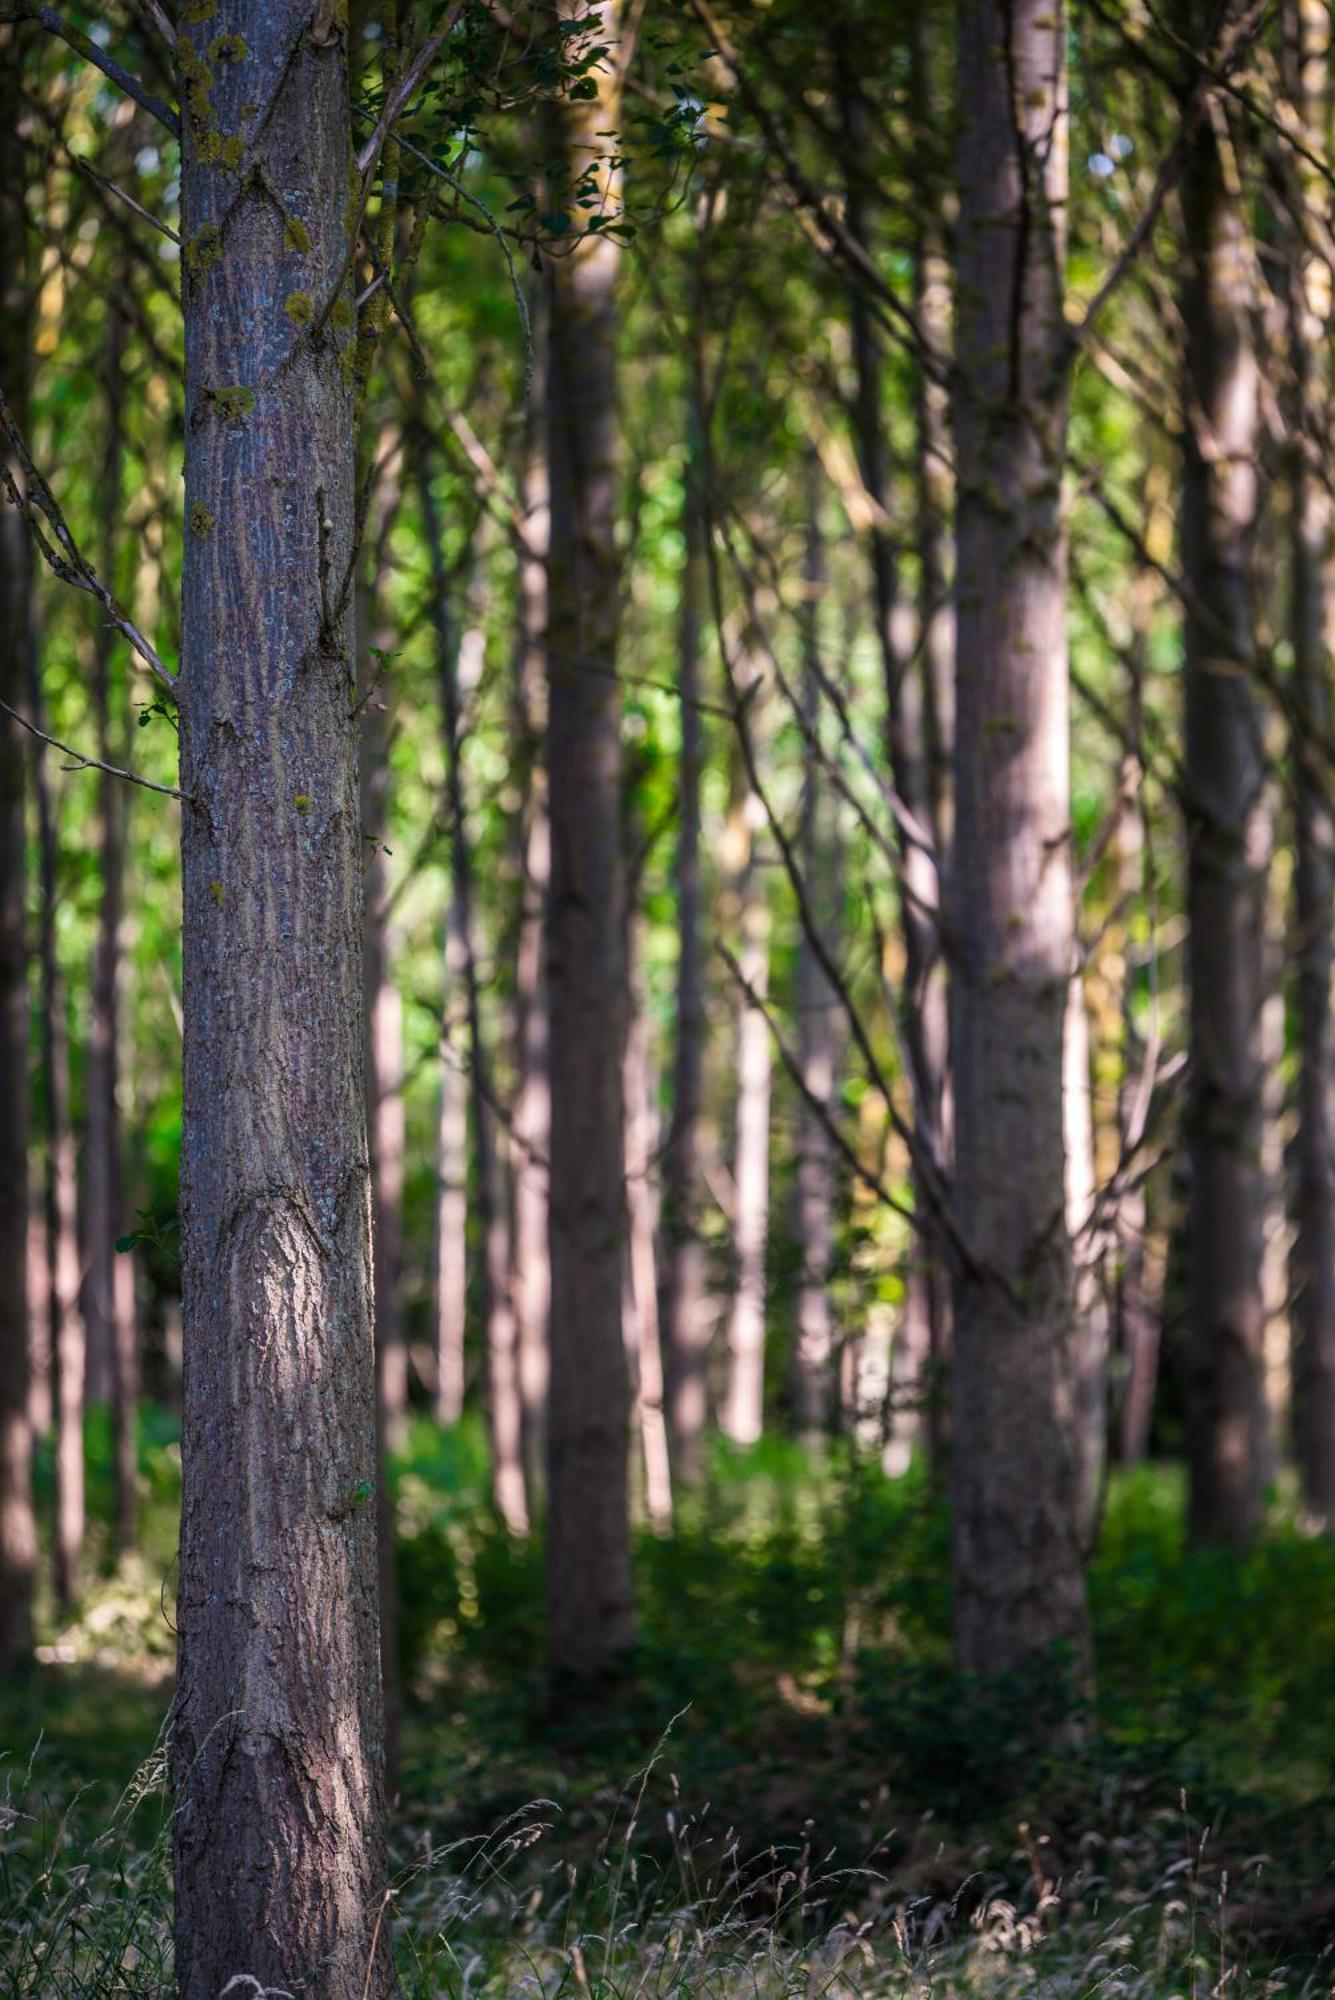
[19,1545]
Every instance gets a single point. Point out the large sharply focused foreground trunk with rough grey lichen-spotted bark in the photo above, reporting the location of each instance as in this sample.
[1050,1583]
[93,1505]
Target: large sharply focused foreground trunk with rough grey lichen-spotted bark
[279,1727]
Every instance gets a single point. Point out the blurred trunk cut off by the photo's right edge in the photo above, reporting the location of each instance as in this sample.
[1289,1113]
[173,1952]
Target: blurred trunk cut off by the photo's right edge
[1312,1267]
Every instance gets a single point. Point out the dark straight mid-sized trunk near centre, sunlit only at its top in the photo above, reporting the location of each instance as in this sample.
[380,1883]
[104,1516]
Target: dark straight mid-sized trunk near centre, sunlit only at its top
[589,1531]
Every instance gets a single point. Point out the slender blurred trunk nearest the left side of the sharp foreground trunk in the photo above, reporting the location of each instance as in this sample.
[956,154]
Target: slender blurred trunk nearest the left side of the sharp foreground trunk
[111,1329]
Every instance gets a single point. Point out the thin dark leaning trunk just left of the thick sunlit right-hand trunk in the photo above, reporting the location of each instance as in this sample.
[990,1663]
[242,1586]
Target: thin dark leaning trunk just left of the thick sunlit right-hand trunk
[910,703]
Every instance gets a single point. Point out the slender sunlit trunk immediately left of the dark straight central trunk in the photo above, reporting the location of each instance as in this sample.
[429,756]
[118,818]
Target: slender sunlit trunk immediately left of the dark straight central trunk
[533,1107]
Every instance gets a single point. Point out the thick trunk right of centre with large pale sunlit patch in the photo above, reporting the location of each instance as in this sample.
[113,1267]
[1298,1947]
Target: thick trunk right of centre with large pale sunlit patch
[1016,1551]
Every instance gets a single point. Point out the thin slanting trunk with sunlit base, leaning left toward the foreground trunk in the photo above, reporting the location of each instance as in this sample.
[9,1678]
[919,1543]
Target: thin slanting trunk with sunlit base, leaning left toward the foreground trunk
[499,1319]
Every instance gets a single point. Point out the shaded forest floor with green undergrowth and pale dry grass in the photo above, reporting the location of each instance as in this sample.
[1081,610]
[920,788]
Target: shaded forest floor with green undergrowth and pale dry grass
[790,1793]
